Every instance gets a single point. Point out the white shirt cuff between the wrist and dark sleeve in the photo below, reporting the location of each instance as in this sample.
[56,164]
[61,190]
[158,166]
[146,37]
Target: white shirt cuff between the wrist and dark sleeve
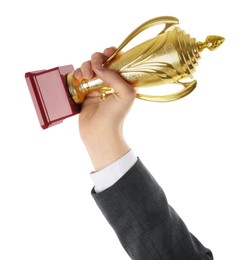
[106,177]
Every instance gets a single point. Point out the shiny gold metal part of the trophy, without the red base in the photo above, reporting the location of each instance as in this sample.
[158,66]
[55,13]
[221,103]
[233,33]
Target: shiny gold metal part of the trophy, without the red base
[169,57]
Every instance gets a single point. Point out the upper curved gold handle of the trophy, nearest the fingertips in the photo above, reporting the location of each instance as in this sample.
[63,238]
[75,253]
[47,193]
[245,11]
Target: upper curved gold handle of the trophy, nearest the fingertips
[167,20]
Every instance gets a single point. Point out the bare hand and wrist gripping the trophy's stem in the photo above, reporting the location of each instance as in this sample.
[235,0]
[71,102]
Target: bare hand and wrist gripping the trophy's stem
[101,121]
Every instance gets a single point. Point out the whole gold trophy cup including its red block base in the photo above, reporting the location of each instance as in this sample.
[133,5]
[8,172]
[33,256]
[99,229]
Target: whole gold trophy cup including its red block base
[168,58]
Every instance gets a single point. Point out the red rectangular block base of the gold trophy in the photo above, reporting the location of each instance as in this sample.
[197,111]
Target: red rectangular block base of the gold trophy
[50,95]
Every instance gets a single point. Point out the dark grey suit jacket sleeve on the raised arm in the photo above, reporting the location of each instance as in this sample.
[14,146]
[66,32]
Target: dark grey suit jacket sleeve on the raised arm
[146,225]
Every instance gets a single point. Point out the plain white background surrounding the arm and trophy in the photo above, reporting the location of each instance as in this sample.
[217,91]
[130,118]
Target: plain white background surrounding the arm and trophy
[197,147]
